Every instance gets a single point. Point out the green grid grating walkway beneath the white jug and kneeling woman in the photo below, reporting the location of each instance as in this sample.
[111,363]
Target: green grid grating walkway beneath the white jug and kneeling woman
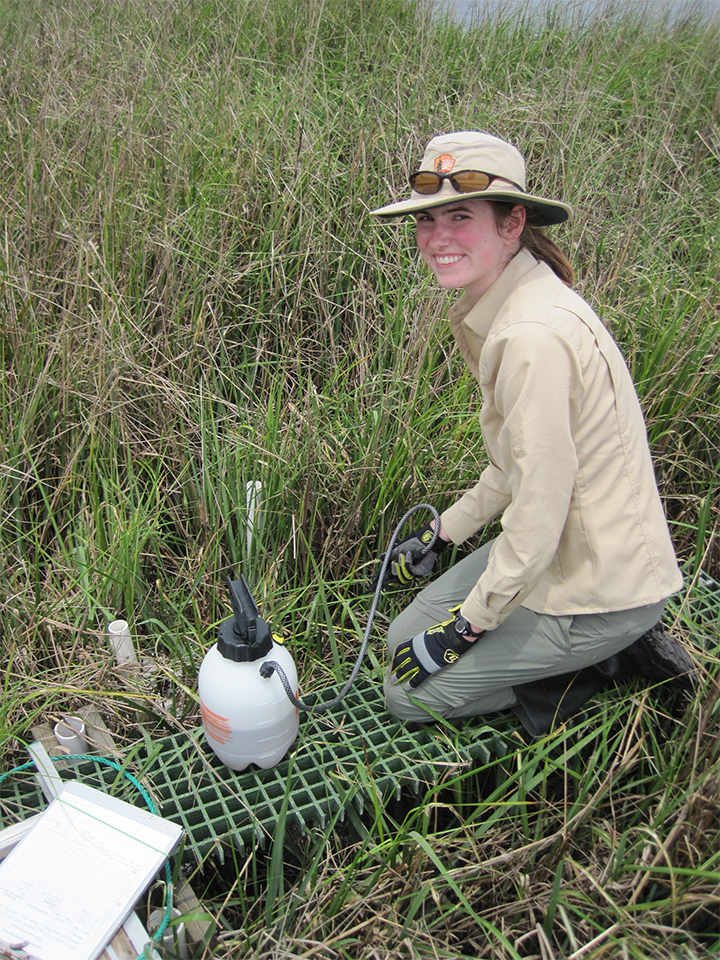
[341,758]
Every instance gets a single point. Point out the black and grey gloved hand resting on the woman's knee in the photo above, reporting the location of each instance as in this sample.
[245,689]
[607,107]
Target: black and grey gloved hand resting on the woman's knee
[416,659]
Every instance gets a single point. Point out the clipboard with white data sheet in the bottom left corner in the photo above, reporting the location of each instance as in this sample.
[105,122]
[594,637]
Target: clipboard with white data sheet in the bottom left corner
[72,881]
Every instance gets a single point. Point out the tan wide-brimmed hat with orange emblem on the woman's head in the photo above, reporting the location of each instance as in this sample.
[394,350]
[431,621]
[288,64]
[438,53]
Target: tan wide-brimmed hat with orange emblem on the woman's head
[453,153]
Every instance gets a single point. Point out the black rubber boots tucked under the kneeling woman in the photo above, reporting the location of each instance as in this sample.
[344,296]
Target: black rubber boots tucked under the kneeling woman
[542,704]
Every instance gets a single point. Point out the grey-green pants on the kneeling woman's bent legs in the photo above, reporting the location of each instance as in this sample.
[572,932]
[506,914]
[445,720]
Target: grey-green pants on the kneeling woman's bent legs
[526,646]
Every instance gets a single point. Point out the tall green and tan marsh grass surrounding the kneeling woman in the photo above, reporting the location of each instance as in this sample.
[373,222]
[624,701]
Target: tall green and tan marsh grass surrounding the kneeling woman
[193,296]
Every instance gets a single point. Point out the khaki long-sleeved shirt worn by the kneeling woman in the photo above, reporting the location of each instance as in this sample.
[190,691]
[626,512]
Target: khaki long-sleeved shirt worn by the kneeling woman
[583,529]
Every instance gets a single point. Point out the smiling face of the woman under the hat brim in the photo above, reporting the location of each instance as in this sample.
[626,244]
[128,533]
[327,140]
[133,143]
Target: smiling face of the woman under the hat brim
[463,246]
